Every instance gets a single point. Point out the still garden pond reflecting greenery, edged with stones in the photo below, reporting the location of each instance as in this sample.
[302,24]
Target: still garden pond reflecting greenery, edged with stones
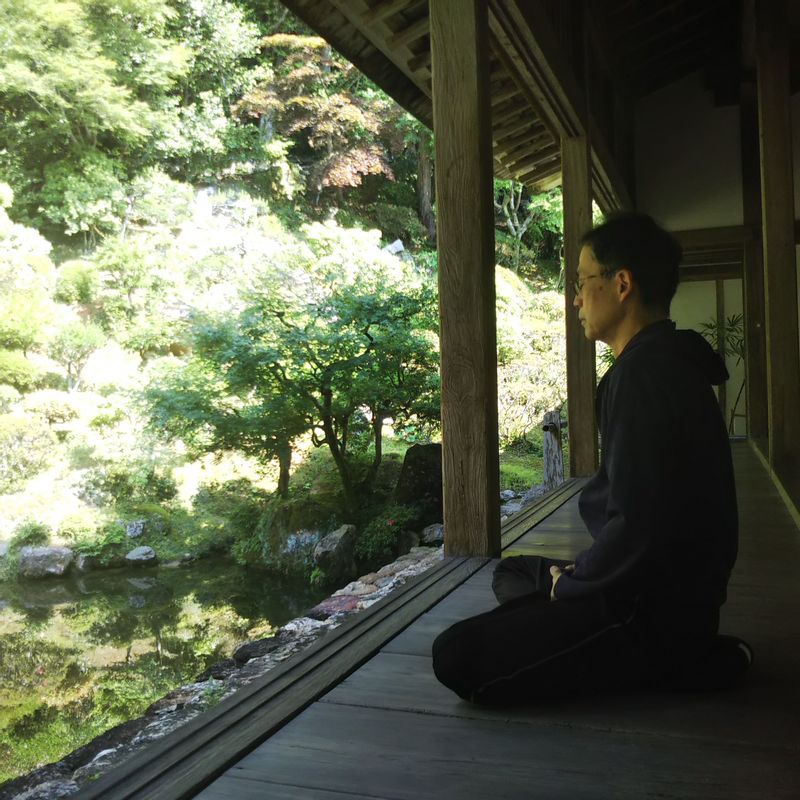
[80,655]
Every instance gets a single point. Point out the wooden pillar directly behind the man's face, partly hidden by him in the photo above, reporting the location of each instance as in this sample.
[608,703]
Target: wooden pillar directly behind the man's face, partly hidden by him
[581,377]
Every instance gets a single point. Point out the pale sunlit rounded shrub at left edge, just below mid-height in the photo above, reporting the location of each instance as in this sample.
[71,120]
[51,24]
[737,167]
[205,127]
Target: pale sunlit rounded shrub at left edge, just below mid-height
[26,445]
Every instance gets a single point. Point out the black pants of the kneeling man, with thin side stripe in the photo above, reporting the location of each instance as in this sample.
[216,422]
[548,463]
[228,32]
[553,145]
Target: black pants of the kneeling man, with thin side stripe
[532,649]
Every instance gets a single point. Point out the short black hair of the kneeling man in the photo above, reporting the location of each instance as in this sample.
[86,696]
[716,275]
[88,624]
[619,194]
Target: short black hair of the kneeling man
[630,240]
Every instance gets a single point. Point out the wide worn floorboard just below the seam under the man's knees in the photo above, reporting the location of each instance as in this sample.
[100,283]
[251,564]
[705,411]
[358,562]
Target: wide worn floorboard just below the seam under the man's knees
[427,757]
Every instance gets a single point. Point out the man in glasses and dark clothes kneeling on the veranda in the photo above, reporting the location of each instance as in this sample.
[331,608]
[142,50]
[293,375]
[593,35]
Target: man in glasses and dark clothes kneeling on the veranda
[640,606]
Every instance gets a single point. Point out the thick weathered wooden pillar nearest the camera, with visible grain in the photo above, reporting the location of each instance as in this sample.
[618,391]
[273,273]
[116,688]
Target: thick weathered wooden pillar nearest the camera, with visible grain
[465,225]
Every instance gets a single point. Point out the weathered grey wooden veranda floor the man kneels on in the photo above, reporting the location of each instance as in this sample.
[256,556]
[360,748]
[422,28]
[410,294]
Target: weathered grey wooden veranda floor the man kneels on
[360,714]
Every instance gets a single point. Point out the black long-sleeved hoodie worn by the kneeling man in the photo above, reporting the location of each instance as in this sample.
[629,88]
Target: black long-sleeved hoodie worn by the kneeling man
[662,507]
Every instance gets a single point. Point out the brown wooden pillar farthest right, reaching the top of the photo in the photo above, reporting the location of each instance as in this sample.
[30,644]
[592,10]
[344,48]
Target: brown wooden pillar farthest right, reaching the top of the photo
[777,192]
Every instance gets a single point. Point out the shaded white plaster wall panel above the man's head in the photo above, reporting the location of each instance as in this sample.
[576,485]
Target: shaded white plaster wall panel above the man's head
[699,186]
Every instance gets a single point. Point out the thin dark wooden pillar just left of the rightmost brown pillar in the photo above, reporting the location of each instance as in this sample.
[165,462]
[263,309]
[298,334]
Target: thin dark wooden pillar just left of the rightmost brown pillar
[755,365]
